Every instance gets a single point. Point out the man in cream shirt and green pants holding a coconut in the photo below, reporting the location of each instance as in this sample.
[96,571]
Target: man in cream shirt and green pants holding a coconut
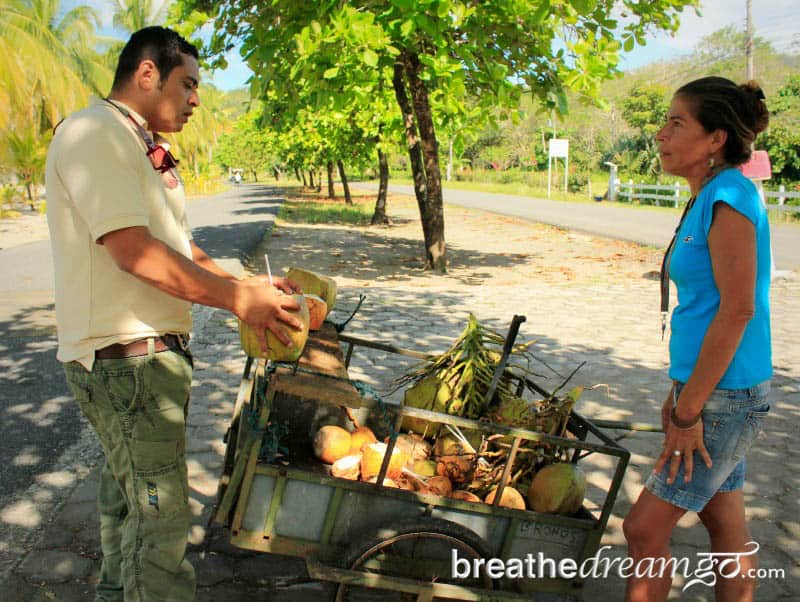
[127,272]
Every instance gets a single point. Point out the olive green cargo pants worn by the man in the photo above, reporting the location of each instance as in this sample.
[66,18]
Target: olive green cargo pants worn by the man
[138,406]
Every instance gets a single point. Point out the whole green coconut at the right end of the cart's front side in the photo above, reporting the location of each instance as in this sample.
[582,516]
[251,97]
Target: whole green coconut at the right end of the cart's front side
[558,489]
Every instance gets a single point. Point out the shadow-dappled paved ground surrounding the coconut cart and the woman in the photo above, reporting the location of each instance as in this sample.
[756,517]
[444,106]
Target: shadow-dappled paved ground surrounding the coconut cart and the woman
[586,300]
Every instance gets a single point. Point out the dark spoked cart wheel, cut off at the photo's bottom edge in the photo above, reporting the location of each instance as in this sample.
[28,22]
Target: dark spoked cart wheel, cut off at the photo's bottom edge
[420,549]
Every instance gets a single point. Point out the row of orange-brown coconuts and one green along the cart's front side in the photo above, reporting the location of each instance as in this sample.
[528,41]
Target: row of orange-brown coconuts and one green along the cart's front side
[449,467]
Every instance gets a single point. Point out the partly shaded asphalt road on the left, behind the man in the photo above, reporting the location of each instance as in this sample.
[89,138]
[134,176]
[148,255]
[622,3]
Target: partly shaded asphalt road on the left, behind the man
[39,419]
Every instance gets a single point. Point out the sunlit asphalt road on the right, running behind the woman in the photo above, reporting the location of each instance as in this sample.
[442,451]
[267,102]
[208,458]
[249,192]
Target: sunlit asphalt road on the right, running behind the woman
[642,225]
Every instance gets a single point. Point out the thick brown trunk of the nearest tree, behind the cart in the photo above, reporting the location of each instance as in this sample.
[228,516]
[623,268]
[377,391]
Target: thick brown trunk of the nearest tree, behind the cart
[433,214]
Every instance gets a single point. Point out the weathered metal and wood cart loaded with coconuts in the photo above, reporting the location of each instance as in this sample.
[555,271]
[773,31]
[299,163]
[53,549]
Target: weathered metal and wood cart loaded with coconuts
[380,543]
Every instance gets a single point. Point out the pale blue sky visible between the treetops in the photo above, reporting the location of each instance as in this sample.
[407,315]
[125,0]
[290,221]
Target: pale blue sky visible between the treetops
[775,20]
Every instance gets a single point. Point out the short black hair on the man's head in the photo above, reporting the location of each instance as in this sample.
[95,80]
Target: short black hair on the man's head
[161,45]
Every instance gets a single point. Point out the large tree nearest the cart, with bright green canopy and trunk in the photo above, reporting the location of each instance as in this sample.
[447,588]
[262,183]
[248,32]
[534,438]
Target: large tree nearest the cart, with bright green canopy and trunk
[445,49]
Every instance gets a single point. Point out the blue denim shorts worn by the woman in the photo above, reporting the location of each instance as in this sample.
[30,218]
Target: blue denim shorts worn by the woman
[731,422]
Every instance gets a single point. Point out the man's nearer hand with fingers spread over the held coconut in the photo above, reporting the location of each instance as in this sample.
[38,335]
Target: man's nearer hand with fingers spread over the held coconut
[263,307]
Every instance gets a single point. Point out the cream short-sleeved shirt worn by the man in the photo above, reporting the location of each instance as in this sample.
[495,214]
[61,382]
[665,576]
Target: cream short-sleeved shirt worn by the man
[99,179]
